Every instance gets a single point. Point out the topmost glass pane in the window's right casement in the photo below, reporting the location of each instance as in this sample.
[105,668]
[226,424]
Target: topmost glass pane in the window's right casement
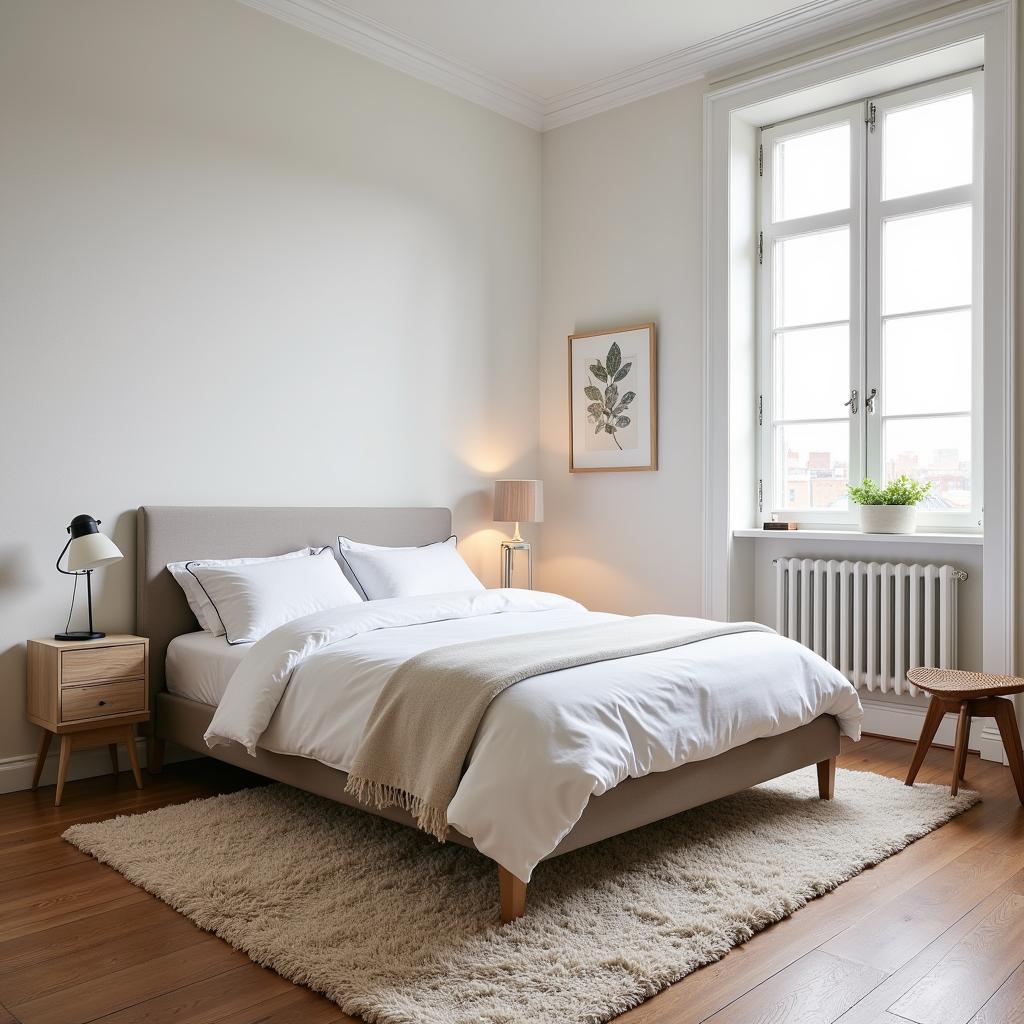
[928,147]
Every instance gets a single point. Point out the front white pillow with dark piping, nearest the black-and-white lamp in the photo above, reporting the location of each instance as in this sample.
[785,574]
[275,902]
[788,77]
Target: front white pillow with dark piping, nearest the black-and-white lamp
[252,601]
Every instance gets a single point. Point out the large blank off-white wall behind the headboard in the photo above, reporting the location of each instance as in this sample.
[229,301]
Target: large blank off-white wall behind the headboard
[242,266]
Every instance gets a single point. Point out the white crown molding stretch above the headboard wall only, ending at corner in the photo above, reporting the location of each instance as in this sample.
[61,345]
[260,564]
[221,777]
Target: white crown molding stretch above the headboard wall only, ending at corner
[338,24]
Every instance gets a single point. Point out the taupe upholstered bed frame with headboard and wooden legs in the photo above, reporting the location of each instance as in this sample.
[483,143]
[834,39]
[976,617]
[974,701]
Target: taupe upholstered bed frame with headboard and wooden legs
[176,534]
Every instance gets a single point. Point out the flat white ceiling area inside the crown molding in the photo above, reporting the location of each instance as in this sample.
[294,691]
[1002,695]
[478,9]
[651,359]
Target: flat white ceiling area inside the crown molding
[547,48]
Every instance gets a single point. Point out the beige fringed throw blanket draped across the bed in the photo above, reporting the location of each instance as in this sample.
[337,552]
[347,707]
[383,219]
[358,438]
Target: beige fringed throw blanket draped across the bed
[422,727]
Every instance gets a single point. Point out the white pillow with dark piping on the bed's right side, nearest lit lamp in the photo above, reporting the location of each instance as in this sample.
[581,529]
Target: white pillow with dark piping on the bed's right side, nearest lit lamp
[435,569]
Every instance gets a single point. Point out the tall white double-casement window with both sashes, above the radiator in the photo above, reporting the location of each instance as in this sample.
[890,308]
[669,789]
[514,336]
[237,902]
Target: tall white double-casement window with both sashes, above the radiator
[870,290]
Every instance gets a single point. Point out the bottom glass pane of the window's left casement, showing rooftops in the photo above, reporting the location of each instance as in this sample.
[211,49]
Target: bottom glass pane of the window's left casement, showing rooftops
[814,465]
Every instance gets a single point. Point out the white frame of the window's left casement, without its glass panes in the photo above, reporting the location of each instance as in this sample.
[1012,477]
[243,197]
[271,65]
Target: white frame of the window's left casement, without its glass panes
[773,233]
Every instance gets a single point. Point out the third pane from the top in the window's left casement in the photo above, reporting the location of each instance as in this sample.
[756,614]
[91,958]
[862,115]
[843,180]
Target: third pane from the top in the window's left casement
[814,373]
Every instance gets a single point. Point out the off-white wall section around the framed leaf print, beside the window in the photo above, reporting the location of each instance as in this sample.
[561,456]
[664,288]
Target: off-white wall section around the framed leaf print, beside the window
[622,245]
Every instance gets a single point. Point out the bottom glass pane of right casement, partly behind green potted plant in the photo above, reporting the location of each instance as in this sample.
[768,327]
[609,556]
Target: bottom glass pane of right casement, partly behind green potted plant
[937,449]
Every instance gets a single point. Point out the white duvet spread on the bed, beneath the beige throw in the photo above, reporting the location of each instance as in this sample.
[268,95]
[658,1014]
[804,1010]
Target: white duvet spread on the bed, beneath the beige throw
[547,745]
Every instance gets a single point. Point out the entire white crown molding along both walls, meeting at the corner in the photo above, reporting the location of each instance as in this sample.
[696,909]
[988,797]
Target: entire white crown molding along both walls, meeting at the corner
[737,52]
